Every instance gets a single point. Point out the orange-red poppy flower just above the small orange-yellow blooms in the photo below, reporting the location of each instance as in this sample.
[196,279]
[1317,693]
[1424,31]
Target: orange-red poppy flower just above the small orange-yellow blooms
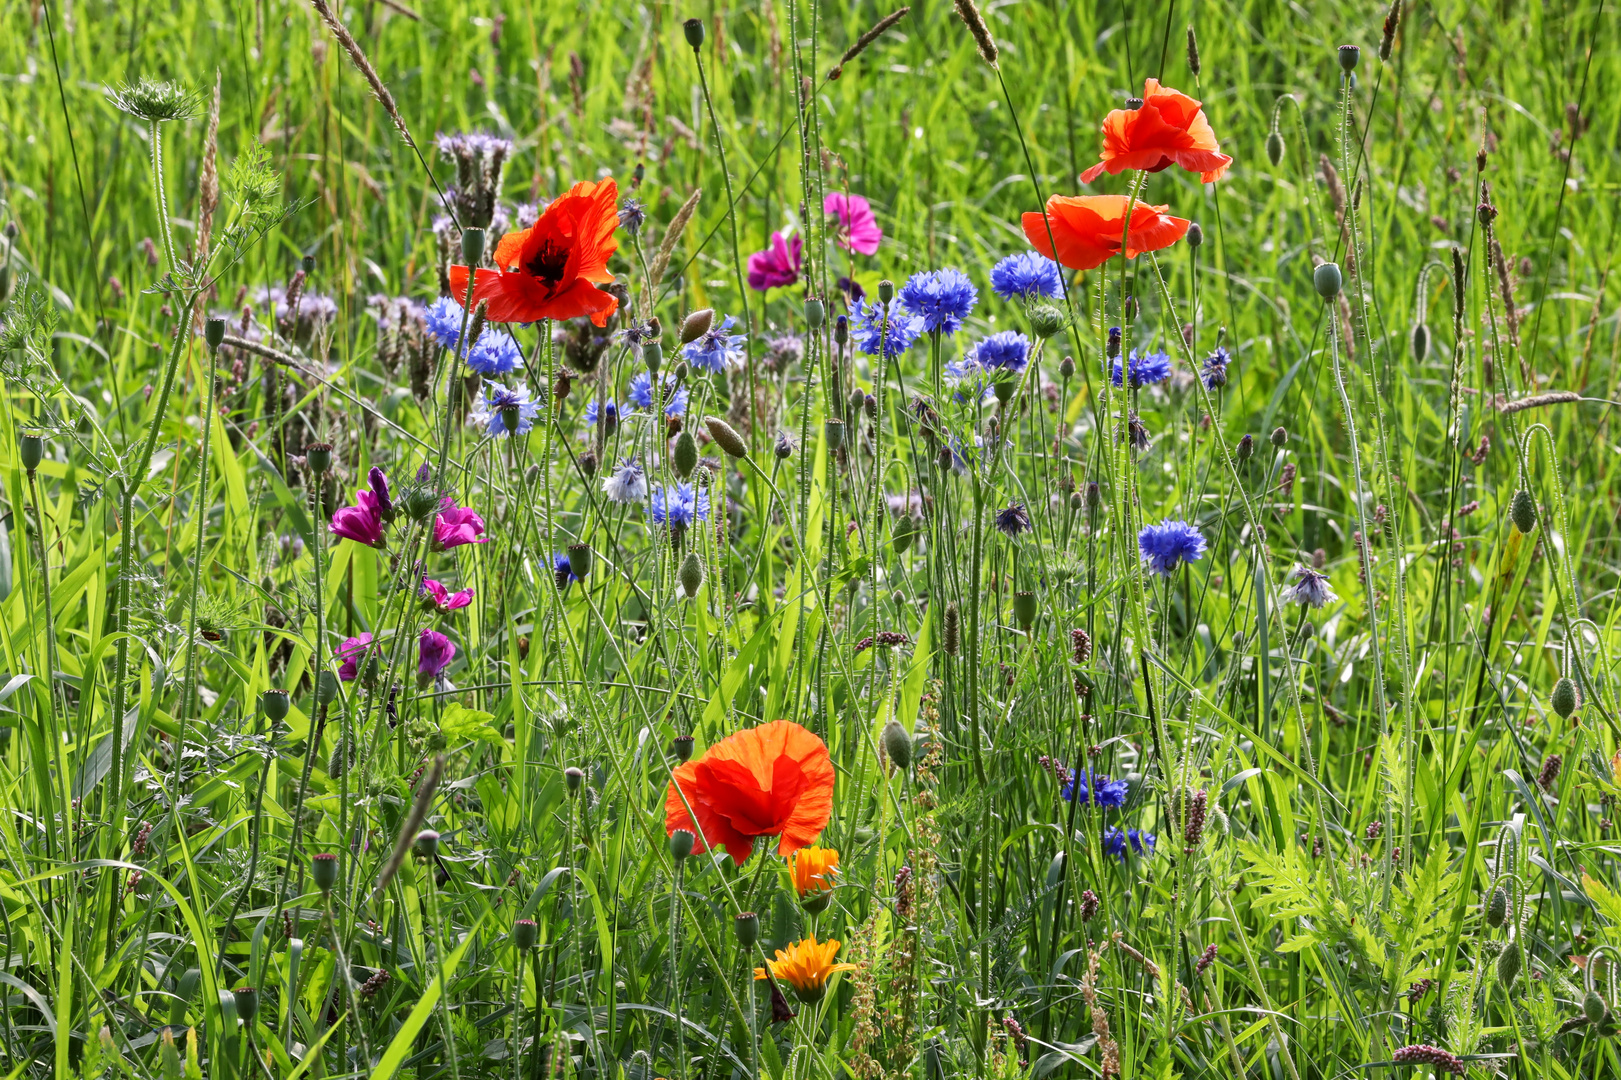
[774,781]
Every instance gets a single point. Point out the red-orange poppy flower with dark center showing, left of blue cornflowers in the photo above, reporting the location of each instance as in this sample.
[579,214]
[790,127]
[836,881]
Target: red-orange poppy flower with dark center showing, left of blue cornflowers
[552,270]
